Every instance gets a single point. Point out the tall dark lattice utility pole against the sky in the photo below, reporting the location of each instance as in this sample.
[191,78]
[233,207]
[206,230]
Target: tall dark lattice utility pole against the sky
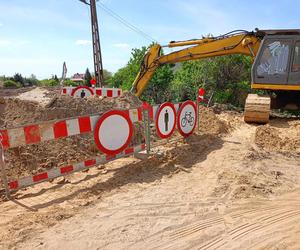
[98,67]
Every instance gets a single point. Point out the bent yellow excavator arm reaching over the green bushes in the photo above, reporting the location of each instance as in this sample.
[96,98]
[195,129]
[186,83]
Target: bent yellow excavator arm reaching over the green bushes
[242,42]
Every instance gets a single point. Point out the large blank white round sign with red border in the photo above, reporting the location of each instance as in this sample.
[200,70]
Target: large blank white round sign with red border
[113,132]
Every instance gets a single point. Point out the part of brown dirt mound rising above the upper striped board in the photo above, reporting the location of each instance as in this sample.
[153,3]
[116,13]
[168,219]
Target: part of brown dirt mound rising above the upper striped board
[21,111]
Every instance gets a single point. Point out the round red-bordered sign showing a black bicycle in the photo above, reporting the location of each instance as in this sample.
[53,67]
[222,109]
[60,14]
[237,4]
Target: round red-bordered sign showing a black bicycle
[186,118]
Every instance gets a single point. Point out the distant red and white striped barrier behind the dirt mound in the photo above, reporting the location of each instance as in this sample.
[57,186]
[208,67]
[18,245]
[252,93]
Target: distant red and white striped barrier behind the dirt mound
[105,92]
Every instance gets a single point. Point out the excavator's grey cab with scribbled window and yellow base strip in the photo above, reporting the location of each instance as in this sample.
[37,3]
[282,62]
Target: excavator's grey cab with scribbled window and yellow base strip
[277,64]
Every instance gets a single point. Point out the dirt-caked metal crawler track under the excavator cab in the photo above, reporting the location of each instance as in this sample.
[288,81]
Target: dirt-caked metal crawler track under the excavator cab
[257,109]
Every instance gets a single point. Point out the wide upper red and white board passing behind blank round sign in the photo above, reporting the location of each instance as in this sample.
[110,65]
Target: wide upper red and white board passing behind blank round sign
[33,134]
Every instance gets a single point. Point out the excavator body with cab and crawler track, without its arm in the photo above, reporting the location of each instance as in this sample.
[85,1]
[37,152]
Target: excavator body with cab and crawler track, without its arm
[276,69]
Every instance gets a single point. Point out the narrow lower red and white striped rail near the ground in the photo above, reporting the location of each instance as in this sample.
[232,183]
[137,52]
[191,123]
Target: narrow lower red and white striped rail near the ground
[61,171]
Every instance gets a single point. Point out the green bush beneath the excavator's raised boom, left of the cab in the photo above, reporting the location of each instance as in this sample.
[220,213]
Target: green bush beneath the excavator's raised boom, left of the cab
[227,76]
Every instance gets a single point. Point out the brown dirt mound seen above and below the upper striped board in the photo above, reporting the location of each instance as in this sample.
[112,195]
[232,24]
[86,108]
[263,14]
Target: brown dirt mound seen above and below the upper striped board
[22,110]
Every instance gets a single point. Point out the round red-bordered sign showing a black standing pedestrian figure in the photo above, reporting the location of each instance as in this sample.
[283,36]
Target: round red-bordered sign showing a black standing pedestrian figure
[165,120]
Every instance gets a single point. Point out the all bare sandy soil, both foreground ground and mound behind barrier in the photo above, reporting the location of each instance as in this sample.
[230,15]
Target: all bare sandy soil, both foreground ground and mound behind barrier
[226,180]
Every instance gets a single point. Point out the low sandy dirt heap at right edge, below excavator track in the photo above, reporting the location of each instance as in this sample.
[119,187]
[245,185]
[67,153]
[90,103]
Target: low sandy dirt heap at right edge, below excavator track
[274,137]
